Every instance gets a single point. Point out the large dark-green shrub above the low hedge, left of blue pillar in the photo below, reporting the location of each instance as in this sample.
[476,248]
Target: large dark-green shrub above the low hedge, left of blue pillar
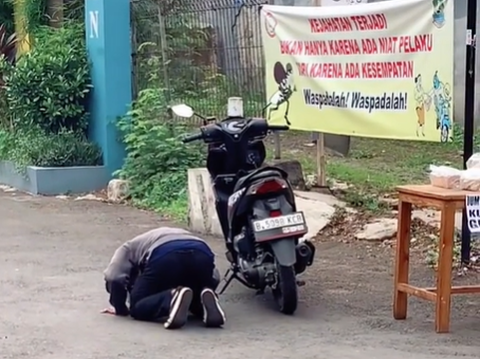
[49,85]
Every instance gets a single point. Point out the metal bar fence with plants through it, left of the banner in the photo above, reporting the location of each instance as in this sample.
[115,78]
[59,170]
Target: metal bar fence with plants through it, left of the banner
[200,52]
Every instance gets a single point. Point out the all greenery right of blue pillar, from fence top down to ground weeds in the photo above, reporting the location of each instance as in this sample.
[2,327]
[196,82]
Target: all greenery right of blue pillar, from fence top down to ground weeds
[175,63]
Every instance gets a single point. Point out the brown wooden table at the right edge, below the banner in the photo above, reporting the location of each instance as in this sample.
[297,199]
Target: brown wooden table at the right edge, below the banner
[448,202]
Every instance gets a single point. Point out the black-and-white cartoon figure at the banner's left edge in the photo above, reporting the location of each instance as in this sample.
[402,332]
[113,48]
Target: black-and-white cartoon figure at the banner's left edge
[286,87]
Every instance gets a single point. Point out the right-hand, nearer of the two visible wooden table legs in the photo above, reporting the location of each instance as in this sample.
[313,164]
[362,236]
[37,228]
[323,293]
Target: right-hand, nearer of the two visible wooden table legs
[444,271]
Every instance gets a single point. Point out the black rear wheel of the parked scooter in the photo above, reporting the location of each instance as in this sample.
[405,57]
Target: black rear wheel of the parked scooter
[286,292]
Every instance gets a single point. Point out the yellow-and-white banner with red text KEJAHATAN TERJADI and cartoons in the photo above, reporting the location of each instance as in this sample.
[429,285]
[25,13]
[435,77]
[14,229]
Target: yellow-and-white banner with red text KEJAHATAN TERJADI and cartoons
[380,70]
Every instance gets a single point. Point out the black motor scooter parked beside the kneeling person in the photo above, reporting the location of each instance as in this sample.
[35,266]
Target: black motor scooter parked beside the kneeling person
[256,208]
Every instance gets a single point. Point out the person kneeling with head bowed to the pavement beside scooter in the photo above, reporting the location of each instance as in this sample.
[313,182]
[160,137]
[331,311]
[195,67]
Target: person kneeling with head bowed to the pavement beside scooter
[167,272]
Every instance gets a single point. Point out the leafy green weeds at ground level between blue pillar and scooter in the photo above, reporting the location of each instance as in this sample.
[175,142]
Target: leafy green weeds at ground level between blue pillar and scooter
[157,161]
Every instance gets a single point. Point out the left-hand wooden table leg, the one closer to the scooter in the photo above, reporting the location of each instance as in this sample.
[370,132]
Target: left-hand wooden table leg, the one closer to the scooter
[402,258]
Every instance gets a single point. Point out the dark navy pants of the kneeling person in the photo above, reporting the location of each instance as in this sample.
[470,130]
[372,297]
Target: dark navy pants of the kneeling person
[189,266]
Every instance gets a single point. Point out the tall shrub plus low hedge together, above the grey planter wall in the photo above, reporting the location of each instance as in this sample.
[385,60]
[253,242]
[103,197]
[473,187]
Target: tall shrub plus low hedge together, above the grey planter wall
[43,102]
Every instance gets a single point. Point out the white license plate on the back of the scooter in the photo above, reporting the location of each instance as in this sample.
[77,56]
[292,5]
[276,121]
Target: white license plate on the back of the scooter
[288,225]
